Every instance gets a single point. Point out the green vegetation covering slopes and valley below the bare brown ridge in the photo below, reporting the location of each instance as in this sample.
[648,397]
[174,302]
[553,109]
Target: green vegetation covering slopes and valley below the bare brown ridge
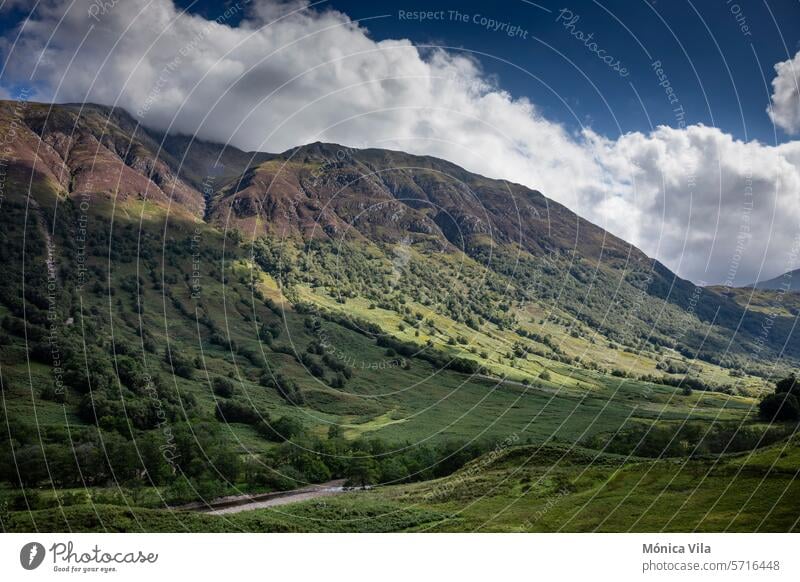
[150,359]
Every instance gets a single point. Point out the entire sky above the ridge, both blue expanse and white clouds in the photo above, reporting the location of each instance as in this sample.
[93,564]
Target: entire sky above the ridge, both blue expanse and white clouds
[674,125]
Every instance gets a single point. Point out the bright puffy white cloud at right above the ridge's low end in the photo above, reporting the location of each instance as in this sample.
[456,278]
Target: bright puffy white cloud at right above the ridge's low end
[713,208]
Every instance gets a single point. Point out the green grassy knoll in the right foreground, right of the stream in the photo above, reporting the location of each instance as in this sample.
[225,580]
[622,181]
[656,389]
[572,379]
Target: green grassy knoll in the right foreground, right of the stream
[558,489]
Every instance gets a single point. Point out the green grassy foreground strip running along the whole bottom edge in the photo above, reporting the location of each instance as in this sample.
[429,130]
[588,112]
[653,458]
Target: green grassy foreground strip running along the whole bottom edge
[520,489]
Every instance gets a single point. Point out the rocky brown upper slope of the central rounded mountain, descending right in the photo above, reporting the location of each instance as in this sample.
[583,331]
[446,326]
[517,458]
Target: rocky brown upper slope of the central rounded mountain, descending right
[532,248]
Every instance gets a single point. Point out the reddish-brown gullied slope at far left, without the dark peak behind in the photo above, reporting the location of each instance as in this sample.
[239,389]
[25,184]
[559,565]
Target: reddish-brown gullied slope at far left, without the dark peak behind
[87,152]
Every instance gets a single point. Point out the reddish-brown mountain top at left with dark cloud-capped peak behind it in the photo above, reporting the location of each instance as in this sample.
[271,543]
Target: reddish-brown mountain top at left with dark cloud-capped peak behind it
[95,150]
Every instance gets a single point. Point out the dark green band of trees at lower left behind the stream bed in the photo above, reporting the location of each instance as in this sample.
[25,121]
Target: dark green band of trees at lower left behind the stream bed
[190,461]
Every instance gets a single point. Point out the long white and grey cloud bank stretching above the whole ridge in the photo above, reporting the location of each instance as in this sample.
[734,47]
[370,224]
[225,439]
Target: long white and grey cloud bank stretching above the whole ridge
[712,208]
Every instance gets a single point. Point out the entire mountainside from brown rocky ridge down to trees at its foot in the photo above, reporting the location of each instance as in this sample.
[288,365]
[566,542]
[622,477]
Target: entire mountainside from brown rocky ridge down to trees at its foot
[182,320]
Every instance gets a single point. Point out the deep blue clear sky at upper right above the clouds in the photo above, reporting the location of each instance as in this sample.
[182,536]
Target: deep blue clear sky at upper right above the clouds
[718,56]
